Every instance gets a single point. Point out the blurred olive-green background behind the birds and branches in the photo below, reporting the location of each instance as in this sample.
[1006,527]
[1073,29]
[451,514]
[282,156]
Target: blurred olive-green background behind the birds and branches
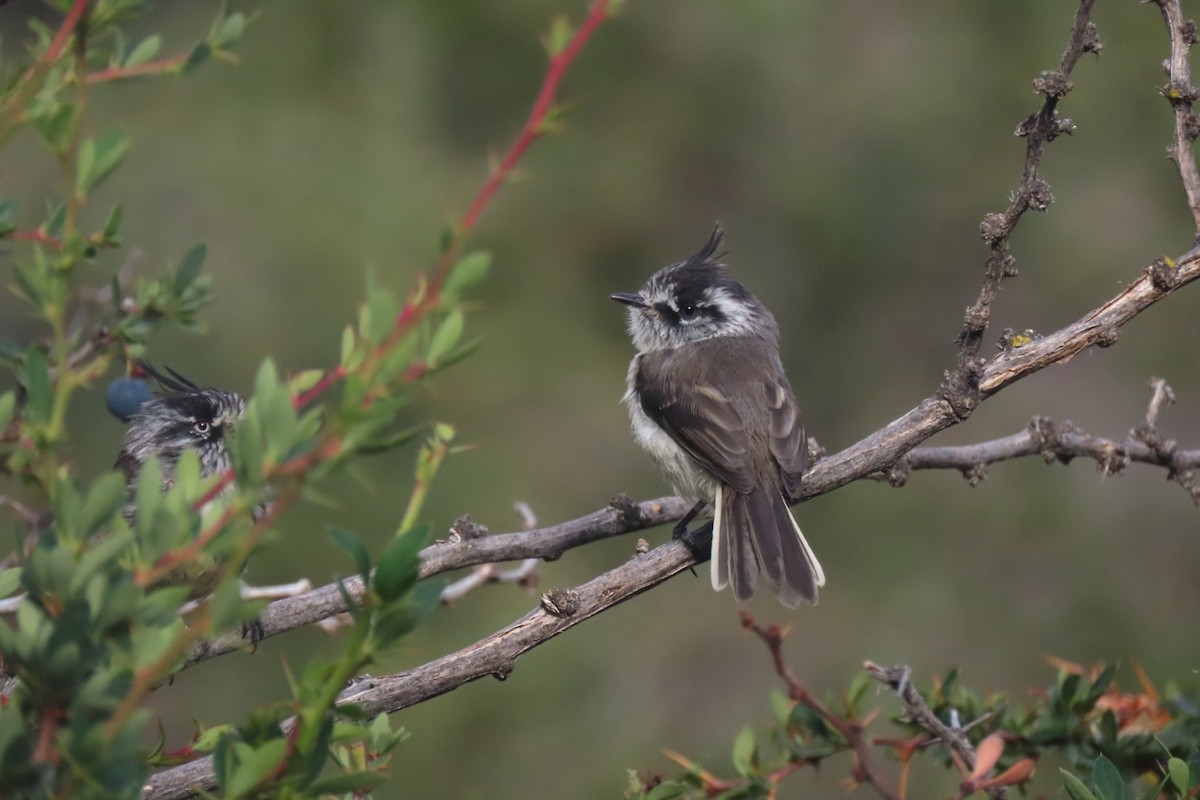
[851,151]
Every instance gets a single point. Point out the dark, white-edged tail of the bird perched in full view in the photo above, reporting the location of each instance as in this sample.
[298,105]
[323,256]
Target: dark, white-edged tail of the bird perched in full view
[757,533]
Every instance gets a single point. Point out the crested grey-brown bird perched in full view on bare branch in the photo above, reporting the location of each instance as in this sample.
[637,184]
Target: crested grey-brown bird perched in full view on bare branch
[711,404]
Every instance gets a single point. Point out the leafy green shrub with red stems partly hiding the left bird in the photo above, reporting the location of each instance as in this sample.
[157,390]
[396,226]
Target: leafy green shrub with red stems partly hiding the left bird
[101,624]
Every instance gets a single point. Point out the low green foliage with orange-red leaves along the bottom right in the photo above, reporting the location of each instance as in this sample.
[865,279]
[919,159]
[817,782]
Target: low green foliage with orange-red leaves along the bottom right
[1115,745]
